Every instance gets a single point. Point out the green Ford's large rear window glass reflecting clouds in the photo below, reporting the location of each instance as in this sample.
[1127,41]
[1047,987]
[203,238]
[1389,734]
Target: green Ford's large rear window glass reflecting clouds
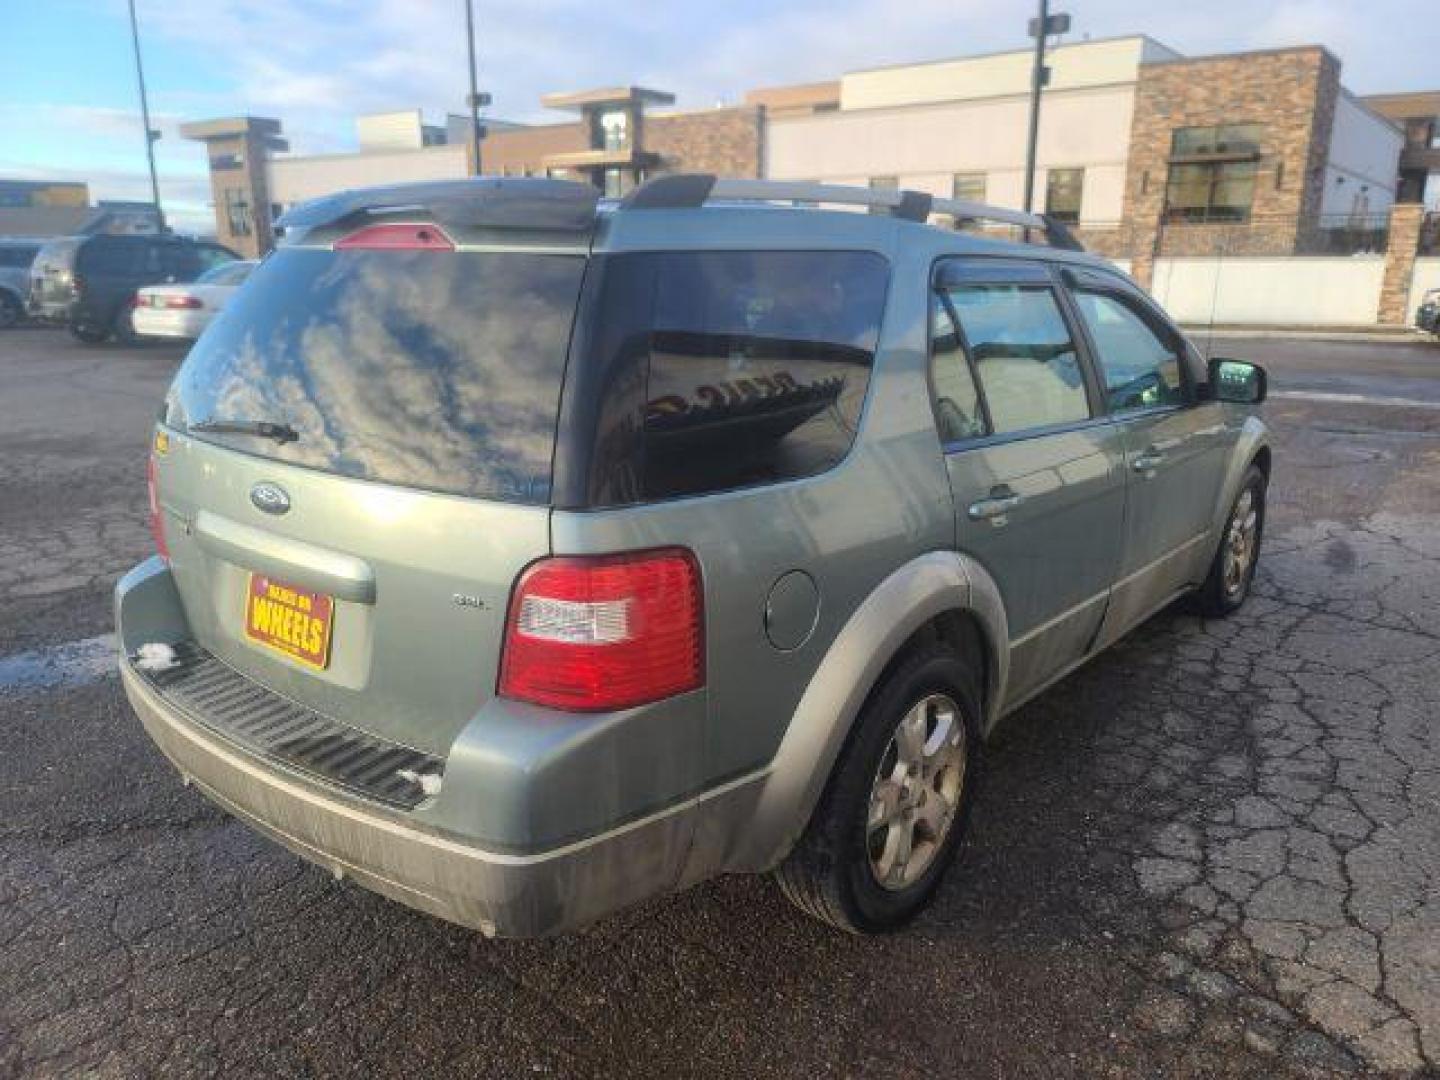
[437,371]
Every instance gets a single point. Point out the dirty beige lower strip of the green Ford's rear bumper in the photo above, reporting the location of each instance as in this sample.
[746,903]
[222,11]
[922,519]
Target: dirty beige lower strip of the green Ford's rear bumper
[493,892]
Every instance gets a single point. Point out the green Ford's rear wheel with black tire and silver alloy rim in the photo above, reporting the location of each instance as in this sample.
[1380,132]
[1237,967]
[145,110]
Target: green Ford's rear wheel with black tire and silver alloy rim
[872,856]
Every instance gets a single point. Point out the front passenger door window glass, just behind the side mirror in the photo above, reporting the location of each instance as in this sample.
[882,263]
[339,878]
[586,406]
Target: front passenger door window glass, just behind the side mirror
[1141,371]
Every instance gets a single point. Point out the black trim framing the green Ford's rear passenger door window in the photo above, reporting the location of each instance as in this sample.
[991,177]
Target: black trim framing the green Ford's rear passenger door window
[1022,273]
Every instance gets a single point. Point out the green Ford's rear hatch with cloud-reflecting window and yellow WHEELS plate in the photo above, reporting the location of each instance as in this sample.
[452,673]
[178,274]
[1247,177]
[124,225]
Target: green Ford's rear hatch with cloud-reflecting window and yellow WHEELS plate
[358,467]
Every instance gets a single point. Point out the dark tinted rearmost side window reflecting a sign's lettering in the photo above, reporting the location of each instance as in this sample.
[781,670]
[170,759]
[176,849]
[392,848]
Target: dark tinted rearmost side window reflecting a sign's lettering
[758,366]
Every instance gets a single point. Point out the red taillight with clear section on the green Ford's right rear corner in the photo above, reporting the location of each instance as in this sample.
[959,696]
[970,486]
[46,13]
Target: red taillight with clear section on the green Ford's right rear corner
[591,634]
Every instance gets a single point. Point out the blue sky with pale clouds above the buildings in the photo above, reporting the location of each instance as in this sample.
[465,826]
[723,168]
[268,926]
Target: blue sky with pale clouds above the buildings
[68,102]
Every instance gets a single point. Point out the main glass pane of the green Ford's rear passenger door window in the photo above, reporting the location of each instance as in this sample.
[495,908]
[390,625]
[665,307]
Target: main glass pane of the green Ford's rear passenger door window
[1023,352]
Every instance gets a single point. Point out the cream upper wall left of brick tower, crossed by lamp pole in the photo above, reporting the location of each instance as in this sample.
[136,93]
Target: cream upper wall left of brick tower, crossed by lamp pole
[927,145]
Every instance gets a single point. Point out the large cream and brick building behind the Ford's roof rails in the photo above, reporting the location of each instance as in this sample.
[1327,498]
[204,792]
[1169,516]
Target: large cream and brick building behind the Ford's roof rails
[1130,132]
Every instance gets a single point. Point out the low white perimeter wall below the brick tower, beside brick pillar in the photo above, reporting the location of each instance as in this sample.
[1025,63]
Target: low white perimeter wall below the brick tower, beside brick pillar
[1290,292]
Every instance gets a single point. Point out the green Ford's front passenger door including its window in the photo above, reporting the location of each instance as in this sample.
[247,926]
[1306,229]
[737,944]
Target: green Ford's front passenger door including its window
[1174,444]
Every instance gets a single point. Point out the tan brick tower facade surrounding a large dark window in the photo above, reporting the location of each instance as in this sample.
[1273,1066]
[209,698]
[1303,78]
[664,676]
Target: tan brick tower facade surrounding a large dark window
[1292,93]
